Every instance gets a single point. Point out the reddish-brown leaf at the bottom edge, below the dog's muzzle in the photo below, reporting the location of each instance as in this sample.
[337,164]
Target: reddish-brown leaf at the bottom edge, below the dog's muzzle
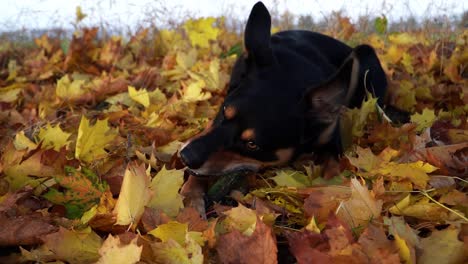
[261,245]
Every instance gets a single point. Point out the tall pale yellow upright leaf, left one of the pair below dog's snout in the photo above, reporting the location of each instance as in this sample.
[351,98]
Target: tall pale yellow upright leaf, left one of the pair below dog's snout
[134,195]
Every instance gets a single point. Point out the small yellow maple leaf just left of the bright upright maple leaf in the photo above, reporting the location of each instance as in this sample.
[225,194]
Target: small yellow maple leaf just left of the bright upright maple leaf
[53,137]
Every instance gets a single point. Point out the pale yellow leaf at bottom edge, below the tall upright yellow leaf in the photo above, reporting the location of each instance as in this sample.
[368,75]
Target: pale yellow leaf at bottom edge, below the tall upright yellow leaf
[114,251]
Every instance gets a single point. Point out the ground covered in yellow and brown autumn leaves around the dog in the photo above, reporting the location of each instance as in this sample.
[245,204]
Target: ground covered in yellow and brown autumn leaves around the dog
[89,128]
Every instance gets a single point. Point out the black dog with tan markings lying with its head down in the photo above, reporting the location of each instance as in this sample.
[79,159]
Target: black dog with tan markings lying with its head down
[284,99]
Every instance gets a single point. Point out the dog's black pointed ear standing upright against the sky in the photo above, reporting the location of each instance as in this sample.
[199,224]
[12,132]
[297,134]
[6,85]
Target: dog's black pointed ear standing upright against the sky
[257,35]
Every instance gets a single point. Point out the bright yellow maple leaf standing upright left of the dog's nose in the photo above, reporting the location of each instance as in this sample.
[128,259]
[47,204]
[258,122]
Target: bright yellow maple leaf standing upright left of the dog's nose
[92,140]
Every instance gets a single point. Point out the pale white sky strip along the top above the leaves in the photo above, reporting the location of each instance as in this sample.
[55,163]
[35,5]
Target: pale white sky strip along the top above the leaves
[43,14]
